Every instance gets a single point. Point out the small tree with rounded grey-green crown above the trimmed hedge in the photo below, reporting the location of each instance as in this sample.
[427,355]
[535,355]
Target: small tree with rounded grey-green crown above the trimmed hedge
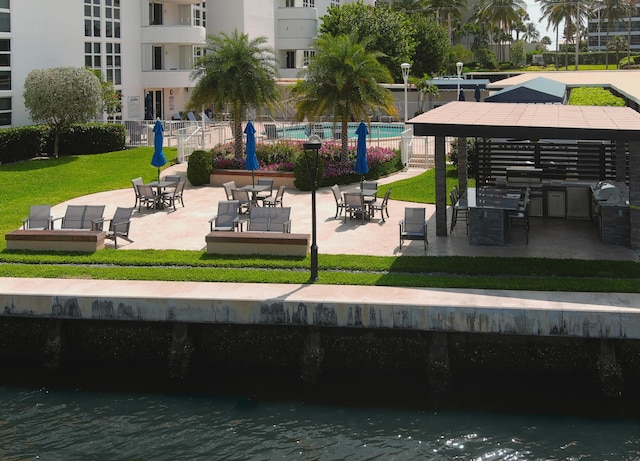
[62,96]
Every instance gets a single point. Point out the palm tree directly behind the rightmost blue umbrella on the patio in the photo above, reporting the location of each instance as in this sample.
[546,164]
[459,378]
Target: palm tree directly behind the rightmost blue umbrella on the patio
[343,80]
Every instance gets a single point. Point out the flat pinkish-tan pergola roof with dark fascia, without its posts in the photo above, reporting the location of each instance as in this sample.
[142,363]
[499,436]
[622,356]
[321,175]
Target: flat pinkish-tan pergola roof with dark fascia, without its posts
[528,121]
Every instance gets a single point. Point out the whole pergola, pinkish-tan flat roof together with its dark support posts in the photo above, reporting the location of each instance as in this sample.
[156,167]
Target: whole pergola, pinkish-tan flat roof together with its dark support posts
[462,119]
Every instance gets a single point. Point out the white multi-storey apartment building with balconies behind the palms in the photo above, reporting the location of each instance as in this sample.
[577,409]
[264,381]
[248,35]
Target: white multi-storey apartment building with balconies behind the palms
[146,48]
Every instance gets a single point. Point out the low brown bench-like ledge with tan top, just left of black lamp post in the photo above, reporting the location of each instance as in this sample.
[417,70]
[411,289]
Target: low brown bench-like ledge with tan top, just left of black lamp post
[261,243]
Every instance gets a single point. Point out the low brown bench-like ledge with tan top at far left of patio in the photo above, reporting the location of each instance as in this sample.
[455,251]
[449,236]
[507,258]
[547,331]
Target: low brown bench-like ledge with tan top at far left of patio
[55,240]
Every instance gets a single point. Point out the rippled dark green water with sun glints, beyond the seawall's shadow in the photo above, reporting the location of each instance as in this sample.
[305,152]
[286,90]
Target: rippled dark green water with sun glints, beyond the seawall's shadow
[79,425]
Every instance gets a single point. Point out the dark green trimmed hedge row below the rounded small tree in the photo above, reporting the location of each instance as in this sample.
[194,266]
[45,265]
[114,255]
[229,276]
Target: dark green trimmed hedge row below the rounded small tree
[24,143]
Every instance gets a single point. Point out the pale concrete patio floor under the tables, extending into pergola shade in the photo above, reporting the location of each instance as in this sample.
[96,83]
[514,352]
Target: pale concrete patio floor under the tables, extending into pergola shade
[186,228]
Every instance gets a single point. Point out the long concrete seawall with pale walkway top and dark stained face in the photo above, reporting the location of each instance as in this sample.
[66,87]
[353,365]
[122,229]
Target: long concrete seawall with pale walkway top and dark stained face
[316,328]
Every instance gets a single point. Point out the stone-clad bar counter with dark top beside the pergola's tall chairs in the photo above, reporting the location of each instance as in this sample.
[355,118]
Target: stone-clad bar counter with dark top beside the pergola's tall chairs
[489,210]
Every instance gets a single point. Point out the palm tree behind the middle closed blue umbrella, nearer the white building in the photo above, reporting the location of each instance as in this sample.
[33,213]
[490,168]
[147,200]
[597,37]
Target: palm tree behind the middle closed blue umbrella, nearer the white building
[236,72]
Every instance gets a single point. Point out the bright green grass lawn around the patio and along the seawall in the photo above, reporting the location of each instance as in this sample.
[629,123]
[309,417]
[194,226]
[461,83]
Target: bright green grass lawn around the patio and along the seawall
[56,180]
